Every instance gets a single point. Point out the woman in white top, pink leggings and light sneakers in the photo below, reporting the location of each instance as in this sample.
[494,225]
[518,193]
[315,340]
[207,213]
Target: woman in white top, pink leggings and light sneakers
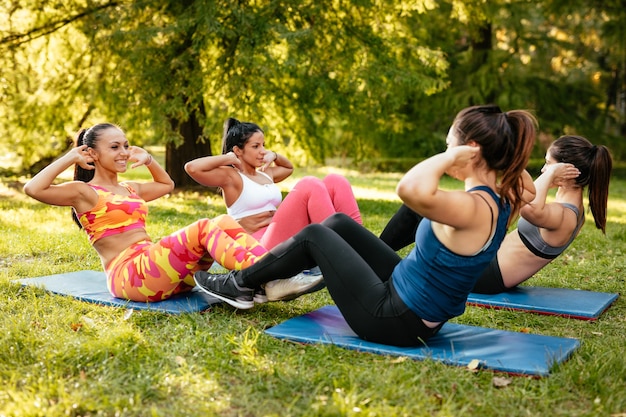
[247,174]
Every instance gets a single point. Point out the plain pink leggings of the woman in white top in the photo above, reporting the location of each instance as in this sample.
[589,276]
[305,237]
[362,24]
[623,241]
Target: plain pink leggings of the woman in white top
[310,201]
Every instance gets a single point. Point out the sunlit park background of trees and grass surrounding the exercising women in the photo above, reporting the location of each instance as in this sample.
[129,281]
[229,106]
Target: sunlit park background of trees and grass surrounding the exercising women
[364,88]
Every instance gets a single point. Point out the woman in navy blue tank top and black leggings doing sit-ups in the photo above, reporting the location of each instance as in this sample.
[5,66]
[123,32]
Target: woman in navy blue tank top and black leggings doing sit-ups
[385,298]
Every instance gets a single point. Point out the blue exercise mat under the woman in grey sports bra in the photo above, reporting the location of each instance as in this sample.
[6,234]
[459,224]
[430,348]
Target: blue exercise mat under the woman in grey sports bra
[565,302]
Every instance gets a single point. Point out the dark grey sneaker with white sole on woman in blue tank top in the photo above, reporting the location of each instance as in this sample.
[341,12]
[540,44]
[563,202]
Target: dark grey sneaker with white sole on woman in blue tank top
[224,287]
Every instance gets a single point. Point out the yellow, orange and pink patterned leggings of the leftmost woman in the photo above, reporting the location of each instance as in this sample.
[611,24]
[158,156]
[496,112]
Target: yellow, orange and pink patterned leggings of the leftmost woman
[148,271]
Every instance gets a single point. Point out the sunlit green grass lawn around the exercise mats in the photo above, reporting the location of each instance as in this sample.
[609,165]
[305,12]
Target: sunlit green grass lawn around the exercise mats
[61,357]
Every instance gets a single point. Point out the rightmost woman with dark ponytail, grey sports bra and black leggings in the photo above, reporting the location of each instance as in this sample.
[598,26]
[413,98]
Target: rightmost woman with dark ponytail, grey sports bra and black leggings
[545,230]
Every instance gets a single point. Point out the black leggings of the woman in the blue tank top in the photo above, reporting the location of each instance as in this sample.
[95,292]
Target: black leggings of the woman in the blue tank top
[357,267]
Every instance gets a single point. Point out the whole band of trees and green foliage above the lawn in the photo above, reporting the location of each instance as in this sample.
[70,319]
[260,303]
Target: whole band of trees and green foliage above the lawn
[328,78]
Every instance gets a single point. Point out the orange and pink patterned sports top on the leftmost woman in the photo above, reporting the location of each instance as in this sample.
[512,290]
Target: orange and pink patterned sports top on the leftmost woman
[113,214]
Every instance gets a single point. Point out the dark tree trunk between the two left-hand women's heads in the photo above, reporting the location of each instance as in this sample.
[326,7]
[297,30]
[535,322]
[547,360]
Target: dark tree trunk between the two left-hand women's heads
[194,146]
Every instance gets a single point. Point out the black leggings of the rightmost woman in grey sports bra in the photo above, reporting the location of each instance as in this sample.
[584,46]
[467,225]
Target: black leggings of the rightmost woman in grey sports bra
[400,232]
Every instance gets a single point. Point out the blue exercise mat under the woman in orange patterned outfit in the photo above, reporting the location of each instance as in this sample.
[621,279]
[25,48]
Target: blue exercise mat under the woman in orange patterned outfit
[91,286]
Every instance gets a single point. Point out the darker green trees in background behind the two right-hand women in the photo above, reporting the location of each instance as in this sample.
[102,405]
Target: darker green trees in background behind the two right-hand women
[552,64]
